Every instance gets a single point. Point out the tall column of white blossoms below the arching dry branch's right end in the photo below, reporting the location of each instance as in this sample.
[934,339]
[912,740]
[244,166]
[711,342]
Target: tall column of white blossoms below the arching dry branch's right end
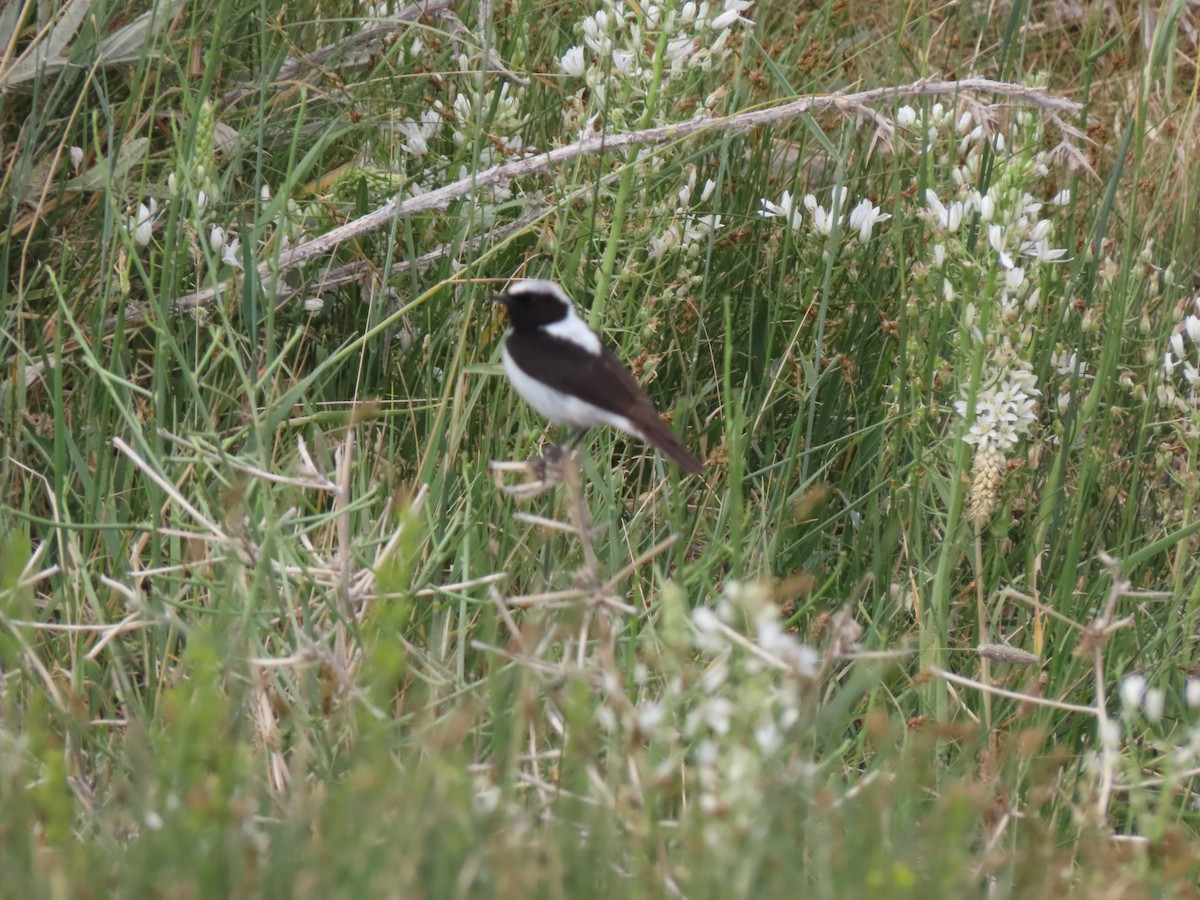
[999,275]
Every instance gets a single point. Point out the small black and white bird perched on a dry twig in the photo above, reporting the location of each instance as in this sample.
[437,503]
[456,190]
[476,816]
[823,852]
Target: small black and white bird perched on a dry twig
[560,368]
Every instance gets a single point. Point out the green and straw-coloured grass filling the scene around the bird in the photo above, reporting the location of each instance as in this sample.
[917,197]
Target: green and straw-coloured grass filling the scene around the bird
[268,626]
